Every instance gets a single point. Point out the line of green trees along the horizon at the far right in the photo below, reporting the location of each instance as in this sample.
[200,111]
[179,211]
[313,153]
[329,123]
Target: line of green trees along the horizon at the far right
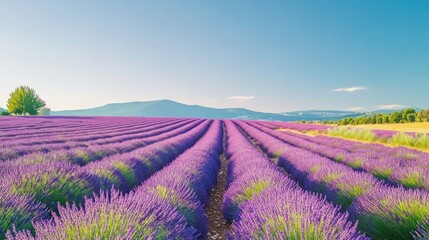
[408,115]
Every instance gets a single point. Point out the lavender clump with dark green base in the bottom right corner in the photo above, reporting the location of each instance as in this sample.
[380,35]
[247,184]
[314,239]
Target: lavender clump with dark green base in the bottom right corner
[393,213]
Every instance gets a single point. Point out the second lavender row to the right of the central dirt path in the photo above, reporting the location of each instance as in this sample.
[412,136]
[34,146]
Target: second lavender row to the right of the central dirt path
[384,212]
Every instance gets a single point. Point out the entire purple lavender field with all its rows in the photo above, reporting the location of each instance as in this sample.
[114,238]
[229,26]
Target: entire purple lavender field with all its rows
[179,178]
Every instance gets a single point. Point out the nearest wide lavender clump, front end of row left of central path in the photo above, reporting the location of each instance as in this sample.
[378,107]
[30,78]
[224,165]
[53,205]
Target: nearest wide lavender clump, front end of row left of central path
[113,216]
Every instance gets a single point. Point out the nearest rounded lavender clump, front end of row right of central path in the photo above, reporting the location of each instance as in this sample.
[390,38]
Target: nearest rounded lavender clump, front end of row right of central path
[285,213]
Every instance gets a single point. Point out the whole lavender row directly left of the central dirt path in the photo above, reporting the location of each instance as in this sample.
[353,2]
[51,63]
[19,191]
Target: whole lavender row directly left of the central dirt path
[169,205]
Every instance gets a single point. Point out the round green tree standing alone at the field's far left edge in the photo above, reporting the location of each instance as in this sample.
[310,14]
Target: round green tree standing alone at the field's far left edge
[24,100]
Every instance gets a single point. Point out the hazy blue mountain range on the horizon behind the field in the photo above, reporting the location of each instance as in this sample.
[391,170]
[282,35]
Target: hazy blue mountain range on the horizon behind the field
[168,108]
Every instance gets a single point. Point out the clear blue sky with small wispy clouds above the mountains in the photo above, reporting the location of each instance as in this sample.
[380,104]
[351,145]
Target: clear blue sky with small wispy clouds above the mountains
[269,56]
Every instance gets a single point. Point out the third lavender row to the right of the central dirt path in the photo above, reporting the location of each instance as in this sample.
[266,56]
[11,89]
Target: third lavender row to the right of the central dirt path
[396,165]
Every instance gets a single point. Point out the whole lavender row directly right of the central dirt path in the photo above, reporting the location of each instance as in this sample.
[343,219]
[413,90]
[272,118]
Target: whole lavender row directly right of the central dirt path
[263,203]
